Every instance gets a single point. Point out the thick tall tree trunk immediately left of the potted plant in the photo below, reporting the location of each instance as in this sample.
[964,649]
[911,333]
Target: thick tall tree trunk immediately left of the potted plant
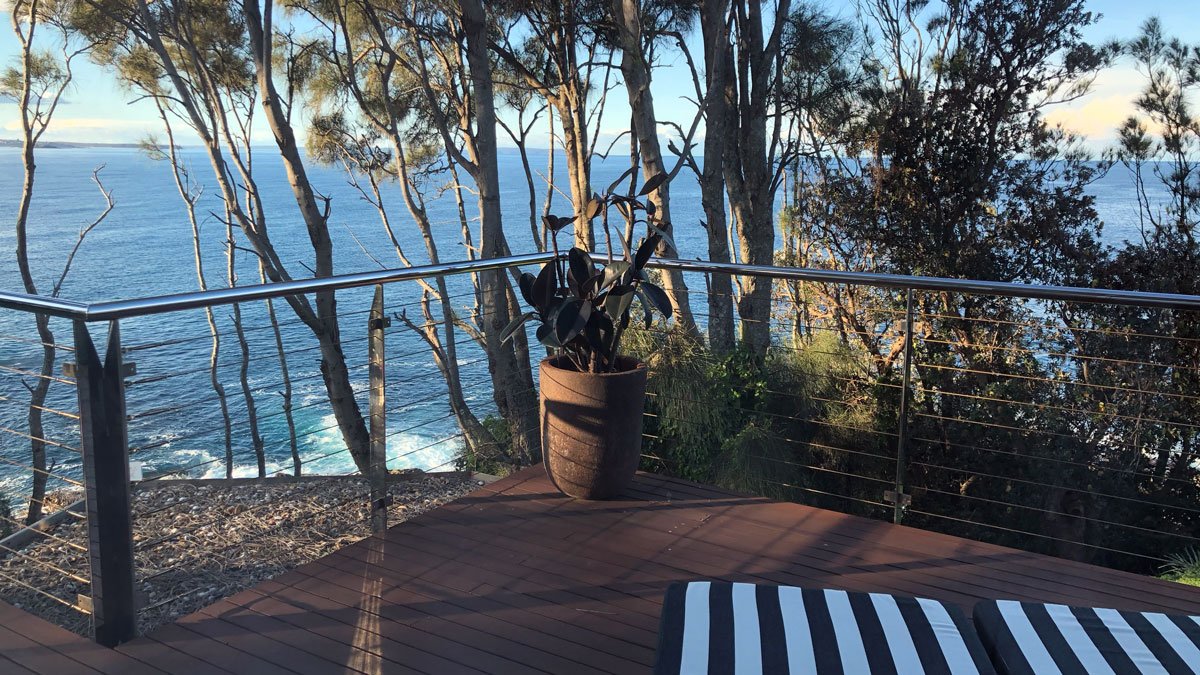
[512,379]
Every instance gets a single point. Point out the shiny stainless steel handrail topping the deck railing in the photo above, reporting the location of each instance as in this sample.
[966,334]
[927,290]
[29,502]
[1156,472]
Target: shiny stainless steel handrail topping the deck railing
[161,304]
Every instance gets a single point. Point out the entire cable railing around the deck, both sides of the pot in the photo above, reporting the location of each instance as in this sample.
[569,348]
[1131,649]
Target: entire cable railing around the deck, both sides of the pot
[1064,422]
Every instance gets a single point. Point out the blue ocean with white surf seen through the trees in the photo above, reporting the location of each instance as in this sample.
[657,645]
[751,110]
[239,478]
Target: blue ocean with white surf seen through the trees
[145,248]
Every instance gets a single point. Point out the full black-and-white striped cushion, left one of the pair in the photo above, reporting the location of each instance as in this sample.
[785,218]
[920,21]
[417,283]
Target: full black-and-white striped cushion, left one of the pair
[743,629]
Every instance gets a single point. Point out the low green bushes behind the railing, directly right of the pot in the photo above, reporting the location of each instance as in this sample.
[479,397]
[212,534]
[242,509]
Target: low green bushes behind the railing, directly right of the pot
[763,427]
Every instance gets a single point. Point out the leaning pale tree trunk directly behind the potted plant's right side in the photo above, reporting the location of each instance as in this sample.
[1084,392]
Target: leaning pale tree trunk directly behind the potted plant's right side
[637,73]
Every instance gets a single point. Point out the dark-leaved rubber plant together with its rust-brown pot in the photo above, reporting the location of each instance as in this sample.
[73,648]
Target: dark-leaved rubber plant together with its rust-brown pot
[592,396]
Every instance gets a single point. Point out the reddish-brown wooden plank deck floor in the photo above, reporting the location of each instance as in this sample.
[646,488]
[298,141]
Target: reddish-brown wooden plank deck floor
[515,578]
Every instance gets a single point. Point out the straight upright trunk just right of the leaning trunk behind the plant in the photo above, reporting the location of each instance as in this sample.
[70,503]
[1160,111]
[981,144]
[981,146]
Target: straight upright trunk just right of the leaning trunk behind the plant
[712,186]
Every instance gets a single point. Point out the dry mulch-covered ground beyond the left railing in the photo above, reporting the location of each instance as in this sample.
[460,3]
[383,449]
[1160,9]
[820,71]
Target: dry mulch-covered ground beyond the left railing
[199,543]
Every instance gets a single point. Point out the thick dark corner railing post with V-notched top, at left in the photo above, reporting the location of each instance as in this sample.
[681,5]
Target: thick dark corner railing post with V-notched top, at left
[106,469]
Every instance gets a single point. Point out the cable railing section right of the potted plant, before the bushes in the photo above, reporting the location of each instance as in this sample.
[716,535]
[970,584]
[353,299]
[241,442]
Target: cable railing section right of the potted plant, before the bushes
[1066,426]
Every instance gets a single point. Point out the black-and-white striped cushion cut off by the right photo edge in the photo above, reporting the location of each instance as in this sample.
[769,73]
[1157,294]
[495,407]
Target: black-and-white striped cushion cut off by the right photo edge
[1027,638]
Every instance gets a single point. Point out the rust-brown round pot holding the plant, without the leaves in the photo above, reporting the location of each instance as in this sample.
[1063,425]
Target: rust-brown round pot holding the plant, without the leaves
[592,427]
